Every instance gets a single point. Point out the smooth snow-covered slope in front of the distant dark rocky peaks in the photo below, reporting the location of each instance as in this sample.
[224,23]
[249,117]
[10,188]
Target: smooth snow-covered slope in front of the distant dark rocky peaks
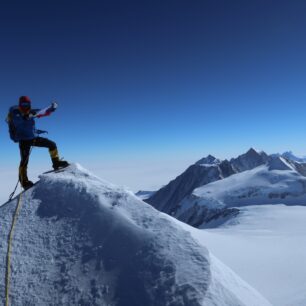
[256,186]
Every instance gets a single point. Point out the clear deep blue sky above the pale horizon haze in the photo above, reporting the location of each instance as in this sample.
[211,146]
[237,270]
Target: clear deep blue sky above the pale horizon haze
[158,80]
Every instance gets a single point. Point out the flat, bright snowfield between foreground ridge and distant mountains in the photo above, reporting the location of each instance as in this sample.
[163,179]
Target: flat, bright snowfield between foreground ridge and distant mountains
[266,245]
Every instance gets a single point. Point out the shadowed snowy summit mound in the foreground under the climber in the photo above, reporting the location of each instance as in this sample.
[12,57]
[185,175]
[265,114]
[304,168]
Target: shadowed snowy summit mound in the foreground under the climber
[82,241]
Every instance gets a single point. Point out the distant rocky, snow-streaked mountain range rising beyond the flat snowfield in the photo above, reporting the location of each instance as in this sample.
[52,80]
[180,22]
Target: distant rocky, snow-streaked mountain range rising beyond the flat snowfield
[211,190]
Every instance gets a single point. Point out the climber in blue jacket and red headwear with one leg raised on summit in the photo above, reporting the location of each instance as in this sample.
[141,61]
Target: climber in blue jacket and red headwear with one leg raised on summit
[22,129]
